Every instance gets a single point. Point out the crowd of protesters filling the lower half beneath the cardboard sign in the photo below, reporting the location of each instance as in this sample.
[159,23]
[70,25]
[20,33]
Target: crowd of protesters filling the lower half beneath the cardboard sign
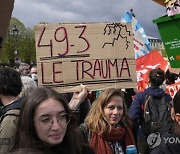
[39,120]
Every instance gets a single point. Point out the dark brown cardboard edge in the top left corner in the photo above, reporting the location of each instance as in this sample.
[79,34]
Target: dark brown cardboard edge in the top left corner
[6,8]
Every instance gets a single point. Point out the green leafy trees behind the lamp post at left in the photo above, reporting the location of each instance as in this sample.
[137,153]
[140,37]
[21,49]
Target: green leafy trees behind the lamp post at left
[21,46]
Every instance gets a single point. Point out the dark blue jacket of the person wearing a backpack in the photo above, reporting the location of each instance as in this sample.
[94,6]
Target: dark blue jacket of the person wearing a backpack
[136,108]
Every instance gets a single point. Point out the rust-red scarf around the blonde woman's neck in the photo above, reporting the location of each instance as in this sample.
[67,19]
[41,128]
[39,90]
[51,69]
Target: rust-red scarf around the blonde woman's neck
[100,143]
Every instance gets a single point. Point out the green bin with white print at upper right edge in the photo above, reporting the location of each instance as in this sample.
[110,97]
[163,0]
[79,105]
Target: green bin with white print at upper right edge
[169,29]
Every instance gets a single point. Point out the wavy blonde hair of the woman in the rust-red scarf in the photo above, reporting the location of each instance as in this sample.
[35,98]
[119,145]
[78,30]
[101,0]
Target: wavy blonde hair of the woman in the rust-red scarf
[96,120]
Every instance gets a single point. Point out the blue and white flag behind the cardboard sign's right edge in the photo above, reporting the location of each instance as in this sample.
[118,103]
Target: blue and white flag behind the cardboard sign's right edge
[141,42]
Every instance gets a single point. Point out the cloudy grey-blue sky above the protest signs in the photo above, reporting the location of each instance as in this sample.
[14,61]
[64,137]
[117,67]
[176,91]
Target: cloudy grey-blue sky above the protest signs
[31,12]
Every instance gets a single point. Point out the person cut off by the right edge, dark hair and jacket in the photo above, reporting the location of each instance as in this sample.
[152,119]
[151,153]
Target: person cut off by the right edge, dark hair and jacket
[167,146]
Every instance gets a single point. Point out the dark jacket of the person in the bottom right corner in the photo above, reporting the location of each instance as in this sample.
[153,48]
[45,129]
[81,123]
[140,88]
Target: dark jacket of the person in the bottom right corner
[167,146]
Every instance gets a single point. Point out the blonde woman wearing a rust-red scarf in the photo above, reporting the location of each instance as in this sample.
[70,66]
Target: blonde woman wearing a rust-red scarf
[107,127]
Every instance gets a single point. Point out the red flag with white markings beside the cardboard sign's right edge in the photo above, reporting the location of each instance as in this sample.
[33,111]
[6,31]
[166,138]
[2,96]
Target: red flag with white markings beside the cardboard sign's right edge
[145,64]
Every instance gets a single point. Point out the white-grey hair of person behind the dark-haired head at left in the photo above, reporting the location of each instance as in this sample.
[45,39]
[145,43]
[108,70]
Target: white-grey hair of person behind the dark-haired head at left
[29,85]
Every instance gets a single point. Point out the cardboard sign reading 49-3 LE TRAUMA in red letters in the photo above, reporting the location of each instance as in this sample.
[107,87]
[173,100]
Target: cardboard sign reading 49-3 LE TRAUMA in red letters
[99,55]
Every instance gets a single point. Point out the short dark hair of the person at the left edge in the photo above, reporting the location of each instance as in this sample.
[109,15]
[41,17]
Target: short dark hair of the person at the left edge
[10,82]
